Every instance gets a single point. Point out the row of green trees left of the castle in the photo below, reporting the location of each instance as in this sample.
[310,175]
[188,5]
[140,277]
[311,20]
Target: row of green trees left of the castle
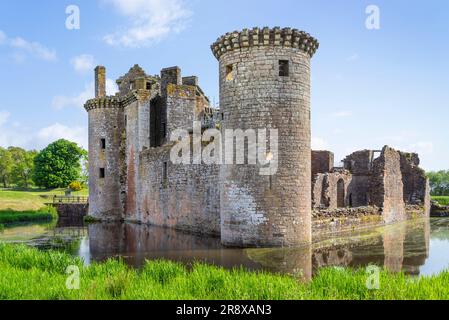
[58,165]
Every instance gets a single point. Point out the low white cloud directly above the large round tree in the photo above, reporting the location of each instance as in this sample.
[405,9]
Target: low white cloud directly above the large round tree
[58,131]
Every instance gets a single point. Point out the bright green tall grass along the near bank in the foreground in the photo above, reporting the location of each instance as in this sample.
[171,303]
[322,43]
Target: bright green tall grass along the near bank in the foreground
[30,274]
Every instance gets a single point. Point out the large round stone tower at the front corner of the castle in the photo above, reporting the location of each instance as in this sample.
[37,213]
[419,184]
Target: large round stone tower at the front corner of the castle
[265,84]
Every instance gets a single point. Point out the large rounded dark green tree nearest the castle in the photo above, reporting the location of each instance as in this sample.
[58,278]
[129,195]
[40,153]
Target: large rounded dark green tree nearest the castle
[58,164]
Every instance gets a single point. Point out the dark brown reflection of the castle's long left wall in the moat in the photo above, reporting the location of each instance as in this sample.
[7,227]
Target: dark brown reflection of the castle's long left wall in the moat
[136,243]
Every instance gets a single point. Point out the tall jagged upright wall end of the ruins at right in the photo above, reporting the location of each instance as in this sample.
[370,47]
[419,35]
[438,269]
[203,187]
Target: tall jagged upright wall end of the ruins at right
[386,185]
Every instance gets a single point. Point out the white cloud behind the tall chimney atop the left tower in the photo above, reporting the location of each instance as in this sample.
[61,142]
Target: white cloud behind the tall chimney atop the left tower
[78,100]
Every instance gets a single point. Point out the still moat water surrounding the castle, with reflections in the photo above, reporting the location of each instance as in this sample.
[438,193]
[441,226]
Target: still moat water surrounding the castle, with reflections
[415,247]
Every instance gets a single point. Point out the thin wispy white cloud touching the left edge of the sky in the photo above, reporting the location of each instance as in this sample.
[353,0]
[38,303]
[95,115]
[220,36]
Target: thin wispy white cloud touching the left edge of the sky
[32,48]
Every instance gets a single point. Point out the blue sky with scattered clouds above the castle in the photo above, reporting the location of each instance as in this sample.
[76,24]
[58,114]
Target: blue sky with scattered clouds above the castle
[370,87]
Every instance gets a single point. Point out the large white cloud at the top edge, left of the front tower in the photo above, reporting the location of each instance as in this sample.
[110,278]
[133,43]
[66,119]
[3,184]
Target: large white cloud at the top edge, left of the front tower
[149,21]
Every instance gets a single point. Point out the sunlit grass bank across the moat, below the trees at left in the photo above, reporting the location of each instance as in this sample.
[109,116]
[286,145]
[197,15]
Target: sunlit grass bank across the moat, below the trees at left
[30,199]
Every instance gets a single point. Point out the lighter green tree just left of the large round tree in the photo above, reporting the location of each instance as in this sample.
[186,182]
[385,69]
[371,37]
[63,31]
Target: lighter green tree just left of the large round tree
[22,166]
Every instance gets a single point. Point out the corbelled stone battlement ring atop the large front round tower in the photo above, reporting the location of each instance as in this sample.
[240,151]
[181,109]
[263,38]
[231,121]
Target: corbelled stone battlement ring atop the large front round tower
[276,36]
